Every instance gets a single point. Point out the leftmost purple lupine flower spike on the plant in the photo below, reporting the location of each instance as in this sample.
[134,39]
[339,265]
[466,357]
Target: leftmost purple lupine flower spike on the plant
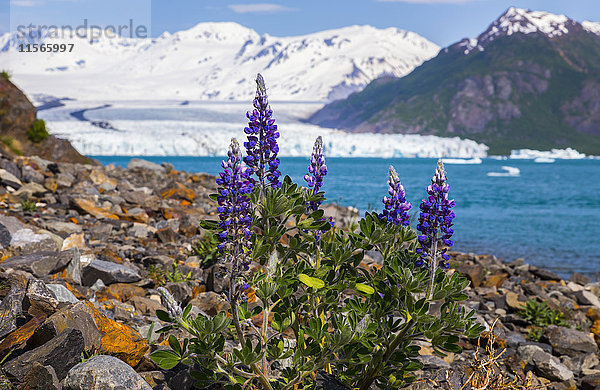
[234,206]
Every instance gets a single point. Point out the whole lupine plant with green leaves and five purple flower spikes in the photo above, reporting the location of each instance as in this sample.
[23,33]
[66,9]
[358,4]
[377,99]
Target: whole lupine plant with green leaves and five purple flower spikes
[318,308]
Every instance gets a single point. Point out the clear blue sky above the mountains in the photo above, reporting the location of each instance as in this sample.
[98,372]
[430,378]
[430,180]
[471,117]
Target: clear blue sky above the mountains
[442,21]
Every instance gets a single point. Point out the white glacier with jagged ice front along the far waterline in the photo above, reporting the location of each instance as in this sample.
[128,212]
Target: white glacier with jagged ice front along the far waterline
[205,129]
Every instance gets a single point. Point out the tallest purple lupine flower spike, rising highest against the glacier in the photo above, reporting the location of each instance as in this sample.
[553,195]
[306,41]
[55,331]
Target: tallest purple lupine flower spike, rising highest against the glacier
[261,147]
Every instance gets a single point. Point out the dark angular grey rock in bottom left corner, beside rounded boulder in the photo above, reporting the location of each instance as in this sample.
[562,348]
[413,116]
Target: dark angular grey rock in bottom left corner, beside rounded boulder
[62,353]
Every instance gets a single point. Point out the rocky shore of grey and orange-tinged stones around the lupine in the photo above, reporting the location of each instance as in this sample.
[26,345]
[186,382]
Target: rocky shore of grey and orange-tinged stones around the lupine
[83,249]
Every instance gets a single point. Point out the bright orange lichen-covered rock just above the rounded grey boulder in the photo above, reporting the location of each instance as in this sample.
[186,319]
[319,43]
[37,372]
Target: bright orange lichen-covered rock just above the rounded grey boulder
[120,340]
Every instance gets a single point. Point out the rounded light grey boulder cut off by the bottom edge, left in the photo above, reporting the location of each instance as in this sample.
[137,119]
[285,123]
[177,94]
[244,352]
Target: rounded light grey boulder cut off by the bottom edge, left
[104,372]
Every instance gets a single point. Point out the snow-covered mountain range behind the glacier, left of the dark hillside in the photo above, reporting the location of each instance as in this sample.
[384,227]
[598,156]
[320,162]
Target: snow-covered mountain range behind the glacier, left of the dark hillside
[216,61]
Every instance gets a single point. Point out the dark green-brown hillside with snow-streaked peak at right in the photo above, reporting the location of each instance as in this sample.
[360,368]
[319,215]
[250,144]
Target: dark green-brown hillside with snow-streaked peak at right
[531,80]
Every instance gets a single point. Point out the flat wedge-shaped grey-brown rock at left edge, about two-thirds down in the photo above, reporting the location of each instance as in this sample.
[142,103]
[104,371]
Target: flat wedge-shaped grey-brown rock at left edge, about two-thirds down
[39,264]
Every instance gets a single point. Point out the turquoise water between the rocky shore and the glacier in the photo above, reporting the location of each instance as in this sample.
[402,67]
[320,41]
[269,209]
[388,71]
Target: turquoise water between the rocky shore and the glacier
[549,214]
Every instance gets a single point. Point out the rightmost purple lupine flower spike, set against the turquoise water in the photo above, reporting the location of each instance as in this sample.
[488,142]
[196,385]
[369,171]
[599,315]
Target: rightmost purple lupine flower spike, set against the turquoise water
[435,221]
